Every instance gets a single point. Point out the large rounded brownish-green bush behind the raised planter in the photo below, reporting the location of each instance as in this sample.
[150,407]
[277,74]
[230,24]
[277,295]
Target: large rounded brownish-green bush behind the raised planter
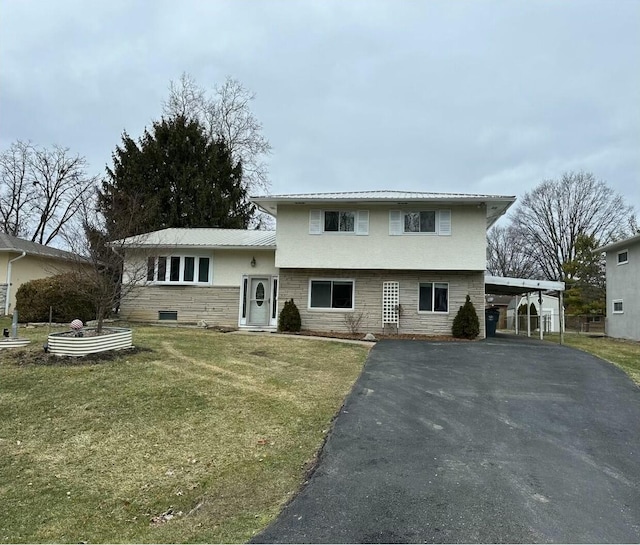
[67,298]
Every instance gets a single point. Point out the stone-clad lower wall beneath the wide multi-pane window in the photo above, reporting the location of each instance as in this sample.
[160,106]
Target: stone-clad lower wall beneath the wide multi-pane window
[218,306]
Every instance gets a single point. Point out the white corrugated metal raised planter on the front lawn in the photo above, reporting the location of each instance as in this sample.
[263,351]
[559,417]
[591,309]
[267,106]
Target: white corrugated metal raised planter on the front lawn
[112,338]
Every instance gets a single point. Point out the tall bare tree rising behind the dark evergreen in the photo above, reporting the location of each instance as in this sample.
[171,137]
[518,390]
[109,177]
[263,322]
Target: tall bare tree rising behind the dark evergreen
[225,115]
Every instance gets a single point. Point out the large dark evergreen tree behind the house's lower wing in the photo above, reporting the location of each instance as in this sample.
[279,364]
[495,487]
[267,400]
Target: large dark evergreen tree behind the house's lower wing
[175,176]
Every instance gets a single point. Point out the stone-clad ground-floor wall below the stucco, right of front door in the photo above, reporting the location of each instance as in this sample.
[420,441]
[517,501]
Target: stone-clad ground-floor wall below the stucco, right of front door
[294,284]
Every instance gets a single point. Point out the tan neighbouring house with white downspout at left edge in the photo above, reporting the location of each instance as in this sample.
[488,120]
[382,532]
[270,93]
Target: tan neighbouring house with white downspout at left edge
[22,260]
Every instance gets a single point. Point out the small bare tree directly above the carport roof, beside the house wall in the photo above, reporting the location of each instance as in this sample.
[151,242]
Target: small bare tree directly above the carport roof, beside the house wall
[508,255]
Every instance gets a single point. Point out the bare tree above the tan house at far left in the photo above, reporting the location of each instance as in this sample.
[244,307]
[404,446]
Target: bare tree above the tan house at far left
[41,190]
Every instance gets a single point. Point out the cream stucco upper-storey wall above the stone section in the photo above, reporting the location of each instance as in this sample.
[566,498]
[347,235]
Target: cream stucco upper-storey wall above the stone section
[464,249]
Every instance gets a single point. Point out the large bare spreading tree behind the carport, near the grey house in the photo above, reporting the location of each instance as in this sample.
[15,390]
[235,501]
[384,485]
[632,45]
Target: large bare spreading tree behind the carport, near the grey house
[552,217]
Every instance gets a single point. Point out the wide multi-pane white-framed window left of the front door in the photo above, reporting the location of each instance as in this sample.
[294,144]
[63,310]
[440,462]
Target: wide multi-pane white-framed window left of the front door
[179,269]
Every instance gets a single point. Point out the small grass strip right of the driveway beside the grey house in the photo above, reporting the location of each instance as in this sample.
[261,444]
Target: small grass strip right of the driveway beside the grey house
[624,354]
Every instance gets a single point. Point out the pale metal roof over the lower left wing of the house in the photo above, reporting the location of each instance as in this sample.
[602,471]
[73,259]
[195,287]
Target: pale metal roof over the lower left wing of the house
[204,238]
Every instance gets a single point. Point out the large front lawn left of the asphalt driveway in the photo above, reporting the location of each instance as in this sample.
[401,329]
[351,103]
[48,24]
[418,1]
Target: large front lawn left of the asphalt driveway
[199,437]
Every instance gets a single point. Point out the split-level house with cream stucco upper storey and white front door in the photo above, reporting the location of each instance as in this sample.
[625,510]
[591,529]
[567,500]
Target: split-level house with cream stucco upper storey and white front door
[376,260]
